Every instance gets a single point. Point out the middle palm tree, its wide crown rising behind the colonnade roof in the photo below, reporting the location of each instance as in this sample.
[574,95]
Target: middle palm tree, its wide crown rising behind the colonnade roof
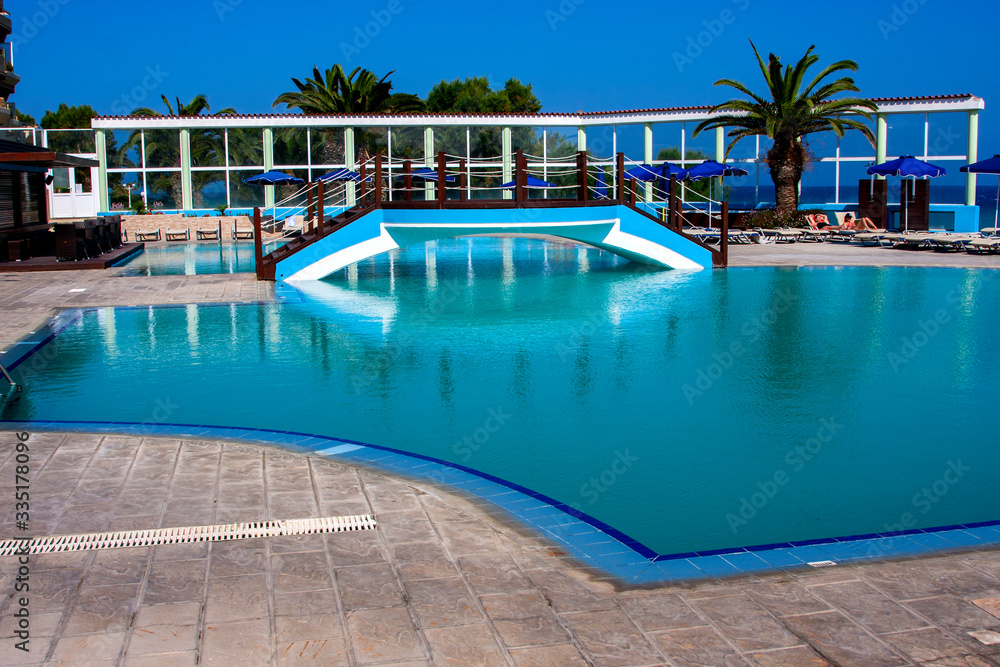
[337,92]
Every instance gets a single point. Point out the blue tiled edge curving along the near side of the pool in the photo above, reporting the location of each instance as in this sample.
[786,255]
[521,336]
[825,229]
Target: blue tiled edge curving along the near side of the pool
[587,539]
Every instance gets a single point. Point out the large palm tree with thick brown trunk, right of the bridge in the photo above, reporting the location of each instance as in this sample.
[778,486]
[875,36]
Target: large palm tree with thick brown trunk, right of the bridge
[790,114]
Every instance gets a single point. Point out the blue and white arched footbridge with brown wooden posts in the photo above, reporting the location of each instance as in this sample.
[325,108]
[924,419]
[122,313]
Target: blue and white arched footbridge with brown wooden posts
[615,218]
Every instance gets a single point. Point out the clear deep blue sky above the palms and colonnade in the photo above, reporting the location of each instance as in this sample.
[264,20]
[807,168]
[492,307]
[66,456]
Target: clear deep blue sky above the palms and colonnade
[578,54]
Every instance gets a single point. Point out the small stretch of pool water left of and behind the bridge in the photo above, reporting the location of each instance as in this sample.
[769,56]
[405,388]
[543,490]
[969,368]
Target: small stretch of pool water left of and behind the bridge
[194,259]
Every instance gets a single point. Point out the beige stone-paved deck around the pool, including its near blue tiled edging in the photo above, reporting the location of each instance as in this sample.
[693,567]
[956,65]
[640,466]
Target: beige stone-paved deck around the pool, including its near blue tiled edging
[619,610]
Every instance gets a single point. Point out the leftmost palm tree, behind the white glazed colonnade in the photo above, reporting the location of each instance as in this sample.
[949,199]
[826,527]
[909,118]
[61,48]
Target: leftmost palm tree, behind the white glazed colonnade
[163,146]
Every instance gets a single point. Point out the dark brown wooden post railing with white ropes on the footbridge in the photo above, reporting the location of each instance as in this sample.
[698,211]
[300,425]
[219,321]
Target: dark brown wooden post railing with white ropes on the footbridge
[457,182]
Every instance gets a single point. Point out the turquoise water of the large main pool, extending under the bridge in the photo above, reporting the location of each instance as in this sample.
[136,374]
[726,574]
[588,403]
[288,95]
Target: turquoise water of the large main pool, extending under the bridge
[691,411]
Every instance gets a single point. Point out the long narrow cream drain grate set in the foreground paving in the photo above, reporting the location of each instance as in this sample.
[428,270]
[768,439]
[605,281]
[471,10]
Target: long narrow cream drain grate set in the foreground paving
[228,531]
